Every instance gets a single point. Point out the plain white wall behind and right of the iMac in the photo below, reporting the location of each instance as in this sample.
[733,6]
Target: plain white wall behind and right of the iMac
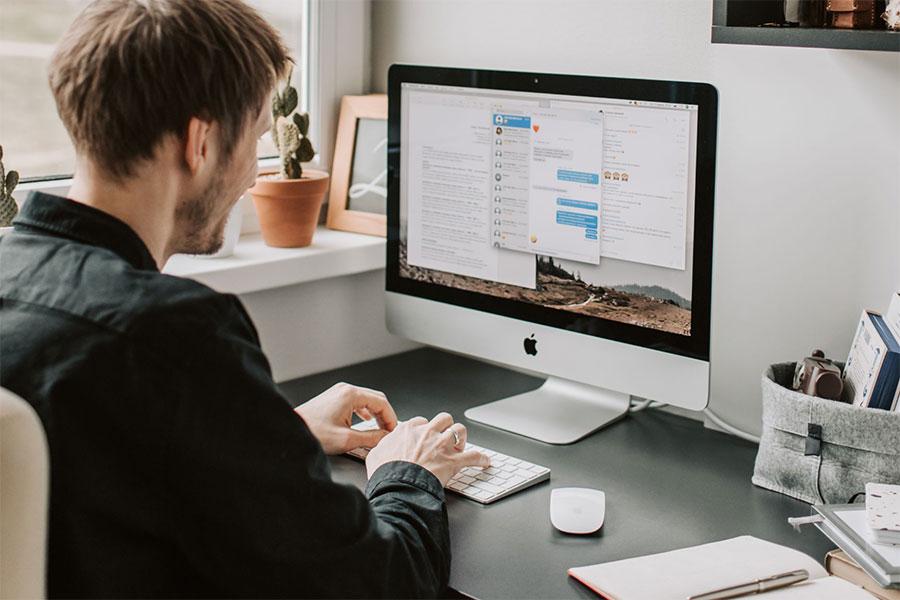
[808,169]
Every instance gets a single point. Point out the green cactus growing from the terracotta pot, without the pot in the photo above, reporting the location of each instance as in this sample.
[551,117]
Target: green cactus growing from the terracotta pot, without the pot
[289,131]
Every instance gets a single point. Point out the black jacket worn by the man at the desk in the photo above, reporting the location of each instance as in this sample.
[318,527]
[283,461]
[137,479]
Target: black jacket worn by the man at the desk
[177,467]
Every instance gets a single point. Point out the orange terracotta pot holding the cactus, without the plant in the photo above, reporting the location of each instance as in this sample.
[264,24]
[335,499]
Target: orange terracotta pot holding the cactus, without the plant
[288,209]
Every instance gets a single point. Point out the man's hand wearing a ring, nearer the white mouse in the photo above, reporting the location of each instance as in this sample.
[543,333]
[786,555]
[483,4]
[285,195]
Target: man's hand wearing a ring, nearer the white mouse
[430,444]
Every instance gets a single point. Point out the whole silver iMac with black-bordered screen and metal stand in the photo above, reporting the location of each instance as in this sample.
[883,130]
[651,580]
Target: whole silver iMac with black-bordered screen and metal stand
[559,224]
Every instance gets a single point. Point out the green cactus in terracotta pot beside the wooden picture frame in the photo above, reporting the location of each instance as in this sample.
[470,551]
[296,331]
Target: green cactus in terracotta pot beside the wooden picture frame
[288,202]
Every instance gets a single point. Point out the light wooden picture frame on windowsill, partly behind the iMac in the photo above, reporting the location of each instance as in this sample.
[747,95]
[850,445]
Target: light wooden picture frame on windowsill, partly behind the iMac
[358,198]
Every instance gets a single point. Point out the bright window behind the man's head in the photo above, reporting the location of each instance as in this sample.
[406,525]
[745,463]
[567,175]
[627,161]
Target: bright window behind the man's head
[34,141]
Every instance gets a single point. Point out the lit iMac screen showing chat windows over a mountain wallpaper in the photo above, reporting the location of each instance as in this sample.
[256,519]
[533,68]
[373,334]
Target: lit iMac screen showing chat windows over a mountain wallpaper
[582,205]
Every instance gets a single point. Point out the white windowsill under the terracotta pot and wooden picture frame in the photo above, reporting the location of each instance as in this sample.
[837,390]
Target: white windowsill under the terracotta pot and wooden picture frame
[254,266]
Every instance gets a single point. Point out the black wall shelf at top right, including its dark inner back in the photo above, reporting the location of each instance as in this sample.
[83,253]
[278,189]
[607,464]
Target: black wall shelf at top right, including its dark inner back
[736,22]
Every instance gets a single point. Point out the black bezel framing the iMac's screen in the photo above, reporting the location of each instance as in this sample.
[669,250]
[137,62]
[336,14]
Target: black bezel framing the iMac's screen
[703,95]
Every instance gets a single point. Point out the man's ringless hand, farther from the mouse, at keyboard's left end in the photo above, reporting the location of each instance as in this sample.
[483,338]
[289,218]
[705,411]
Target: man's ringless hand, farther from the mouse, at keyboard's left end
[330,414]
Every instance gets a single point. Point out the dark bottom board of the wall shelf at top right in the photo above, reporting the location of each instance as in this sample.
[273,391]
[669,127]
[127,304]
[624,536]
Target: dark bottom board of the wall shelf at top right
[849,39]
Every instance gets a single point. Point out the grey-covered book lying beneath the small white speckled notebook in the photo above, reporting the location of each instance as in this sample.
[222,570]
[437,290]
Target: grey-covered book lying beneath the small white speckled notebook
[846,525]
